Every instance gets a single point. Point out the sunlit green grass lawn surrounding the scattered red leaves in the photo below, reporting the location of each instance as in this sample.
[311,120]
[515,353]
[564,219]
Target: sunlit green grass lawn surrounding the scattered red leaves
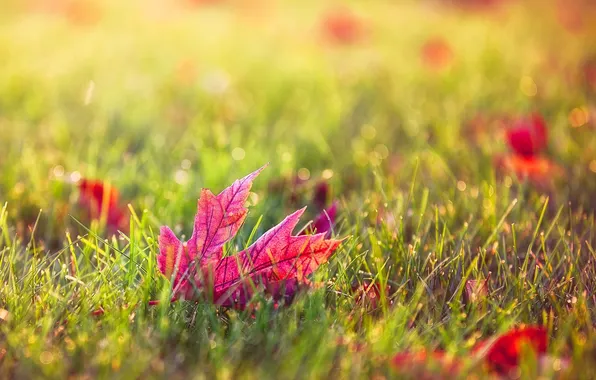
[163,98]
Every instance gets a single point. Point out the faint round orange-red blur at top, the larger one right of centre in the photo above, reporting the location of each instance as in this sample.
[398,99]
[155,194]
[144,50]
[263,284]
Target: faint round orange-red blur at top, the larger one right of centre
[342,26]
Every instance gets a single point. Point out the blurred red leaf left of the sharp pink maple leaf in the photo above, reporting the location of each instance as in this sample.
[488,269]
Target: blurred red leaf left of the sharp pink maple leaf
[101,201]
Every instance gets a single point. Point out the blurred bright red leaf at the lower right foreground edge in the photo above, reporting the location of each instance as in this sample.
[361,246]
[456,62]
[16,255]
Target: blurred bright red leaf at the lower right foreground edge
[505,352]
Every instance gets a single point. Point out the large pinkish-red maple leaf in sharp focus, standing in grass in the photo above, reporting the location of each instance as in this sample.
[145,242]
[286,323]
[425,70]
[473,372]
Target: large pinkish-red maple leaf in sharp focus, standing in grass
[277,262]
